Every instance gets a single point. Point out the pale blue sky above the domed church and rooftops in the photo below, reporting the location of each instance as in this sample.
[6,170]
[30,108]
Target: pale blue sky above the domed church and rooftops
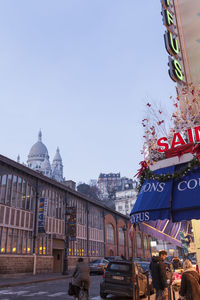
[82,71]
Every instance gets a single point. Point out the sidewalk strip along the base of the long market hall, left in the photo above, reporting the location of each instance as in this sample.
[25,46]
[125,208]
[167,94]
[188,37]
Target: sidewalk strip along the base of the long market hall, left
[9,280]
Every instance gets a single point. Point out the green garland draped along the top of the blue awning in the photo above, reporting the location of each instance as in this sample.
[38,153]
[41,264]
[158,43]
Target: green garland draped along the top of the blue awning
[149,175]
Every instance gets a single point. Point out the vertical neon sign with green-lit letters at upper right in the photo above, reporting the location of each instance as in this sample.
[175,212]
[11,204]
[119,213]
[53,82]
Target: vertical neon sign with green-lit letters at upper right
[171,41]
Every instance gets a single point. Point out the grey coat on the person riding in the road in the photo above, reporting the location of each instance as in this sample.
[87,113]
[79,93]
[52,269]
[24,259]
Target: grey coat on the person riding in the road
[81,273]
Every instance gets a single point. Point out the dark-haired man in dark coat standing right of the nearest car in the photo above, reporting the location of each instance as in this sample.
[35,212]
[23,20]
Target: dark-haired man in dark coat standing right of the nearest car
[159,276]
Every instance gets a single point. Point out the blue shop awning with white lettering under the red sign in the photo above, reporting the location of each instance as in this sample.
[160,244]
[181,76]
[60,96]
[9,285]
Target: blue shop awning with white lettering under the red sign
[176,200]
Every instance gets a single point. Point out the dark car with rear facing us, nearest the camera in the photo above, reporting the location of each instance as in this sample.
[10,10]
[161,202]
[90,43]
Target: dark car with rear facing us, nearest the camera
[118,280]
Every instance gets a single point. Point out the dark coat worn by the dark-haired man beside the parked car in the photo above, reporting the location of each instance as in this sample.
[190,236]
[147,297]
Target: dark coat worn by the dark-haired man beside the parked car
[158,273]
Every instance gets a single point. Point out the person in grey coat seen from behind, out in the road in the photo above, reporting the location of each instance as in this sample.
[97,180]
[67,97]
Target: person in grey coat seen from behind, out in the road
[81,279]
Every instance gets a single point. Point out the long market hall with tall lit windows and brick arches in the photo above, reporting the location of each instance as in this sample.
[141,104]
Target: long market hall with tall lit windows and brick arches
[34,227]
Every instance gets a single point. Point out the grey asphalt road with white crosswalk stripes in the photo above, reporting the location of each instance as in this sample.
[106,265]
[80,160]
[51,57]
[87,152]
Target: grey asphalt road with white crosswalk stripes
[54,289]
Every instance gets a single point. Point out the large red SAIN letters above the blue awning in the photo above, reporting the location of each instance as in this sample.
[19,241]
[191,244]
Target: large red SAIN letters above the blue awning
[179,139]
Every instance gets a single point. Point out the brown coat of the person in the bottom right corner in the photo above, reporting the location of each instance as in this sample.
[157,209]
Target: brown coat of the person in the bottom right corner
[190,285]
